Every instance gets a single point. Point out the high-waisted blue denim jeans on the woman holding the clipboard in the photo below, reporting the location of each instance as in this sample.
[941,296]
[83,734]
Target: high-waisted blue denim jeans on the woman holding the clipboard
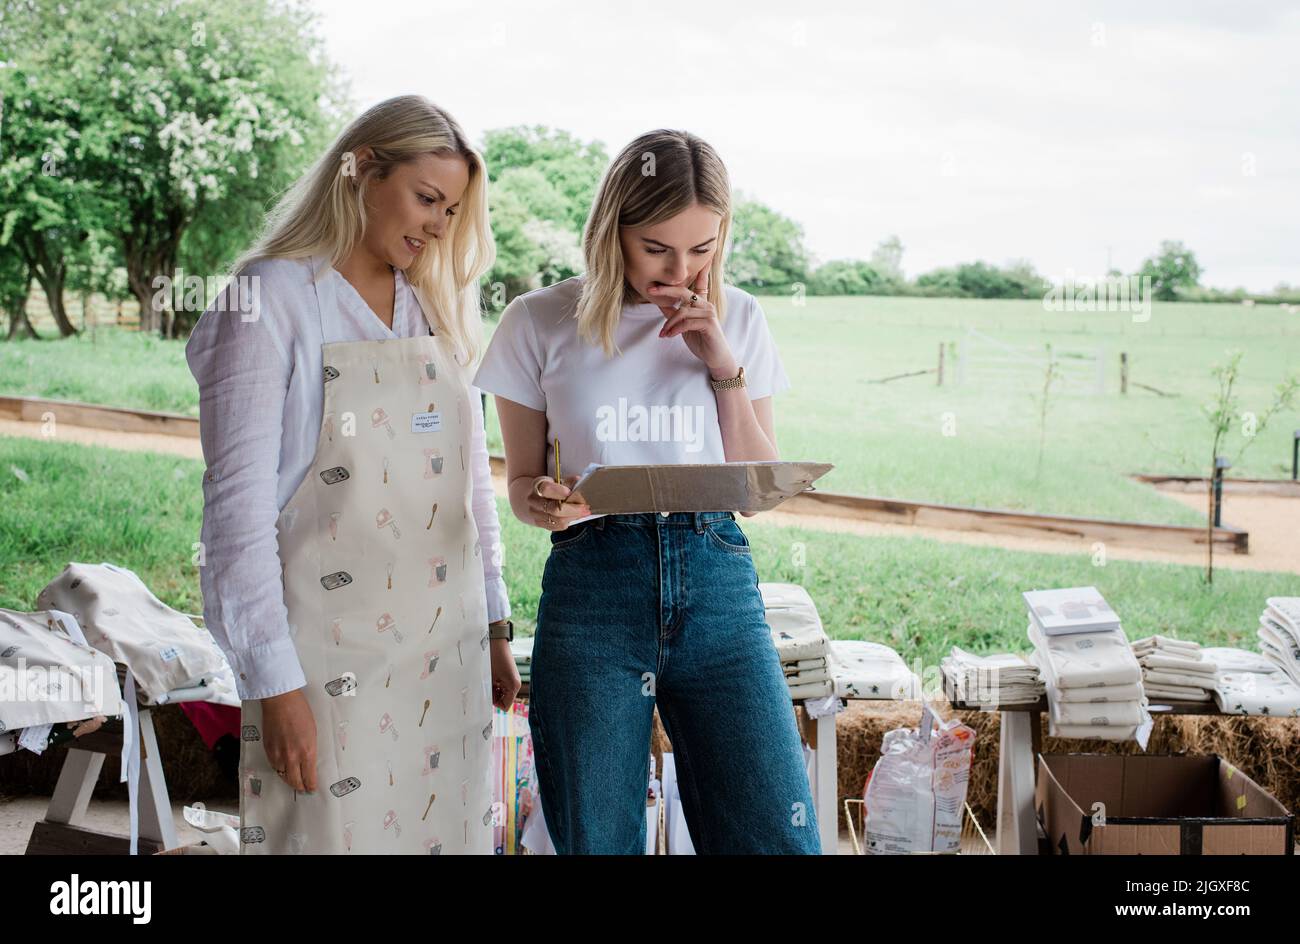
[645,610]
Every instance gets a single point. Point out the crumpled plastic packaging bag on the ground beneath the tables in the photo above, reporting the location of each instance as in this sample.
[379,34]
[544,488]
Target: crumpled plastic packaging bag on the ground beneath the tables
[917,791]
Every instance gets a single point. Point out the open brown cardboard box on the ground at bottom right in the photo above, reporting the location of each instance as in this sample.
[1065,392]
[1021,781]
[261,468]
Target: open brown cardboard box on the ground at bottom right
[1158,806]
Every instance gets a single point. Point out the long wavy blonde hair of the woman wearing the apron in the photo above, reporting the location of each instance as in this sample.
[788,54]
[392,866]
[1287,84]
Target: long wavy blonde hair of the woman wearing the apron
[324,214]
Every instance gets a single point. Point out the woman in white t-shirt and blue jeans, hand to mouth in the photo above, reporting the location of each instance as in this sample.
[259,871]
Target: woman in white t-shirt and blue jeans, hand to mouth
[651,358]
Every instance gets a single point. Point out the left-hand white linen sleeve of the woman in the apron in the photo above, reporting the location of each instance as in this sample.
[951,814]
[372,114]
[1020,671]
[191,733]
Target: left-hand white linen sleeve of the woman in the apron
[244,370]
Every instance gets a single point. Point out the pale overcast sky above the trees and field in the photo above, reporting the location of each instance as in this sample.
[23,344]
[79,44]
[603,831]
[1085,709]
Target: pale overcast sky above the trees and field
[1064,133]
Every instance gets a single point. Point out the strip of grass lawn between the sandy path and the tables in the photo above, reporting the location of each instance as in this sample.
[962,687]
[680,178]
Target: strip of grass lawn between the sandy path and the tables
[70,503]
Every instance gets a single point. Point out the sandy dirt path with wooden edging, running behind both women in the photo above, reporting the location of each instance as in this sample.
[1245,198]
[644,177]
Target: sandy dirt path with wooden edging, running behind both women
[1273,522]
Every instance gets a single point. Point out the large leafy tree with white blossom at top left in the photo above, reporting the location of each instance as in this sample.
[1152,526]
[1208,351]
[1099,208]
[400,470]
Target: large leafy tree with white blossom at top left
[171,107]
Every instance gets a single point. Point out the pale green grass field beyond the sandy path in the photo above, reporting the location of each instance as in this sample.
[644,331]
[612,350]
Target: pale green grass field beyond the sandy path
[890,439]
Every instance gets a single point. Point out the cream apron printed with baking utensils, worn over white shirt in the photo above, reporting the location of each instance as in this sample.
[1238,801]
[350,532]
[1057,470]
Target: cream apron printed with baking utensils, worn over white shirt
[384,587]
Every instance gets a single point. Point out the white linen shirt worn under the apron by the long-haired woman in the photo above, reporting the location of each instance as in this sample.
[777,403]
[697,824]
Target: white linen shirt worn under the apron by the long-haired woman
[261,405]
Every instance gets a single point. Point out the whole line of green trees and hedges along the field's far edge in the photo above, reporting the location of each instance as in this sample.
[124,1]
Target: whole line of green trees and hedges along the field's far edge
[140,138]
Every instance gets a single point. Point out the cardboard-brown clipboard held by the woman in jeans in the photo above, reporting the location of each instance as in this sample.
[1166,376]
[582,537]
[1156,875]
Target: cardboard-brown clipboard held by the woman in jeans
[710,487]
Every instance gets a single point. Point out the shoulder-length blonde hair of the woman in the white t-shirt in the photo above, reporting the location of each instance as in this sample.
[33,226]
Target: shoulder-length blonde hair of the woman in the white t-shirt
[656,177]
